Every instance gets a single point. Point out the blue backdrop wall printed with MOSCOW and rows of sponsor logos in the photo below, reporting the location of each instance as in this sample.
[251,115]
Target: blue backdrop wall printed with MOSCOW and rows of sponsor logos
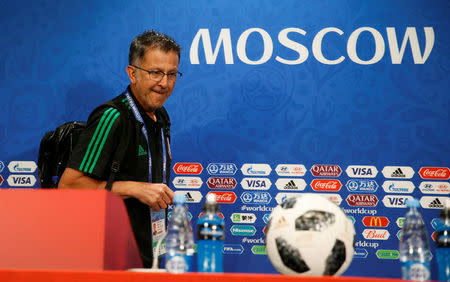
[340,83]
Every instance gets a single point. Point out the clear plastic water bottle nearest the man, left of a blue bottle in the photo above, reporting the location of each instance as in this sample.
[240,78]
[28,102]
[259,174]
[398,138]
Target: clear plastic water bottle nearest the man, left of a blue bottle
[179,239]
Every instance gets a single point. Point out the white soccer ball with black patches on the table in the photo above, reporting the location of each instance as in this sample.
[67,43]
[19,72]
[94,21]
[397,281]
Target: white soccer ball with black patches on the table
[309,235]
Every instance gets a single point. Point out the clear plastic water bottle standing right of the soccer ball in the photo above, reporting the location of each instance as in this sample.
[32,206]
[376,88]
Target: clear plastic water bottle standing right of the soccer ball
[414,246]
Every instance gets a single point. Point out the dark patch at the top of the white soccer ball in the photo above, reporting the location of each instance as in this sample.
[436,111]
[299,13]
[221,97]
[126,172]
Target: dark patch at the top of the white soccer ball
[314,221]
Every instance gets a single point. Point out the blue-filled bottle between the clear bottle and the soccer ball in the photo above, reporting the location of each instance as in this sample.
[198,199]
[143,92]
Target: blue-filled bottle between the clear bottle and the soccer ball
[210,233]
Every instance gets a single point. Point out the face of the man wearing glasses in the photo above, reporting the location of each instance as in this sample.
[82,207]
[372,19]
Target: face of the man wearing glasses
[152,94]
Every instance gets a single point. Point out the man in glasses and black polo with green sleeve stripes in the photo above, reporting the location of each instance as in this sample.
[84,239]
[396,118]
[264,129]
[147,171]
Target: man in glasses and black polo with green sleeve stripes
[139,116]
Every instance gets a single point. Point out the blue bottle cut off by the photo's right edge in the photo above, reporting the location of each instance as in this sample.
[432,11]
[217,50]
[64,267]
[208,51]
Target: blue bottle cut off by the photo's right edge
[443,243]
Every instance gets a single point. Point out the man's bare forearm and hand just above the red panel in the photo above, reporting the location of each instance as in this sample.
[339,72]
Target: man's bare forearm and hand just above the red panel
[156,195]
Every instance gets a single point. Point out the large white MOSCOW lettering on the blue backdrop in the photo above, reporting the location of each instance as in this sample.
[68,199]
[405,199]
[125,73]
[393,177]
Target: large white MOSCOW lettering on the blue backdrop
[389,40]
